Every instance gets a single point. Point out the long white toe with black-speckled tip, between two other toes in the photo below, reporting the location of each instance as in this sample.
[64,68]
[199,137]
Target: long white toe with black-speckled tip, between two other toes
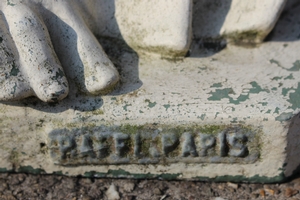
[37,57]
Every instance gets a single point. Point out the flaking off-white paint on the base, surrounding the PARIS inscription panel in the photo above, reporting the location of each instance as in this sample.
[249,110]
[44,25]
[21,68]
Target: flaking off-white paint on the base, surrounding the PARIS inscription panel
[193,93]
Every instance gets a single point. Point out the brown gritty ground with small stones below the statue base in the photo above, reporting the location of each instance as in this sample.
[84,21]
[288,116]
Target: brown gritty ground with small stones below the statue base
[27,186]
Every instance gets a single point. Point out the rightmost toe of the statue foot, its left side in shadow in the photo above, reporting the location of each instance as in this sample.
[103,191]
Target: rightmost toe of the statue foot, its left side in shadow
[79,51]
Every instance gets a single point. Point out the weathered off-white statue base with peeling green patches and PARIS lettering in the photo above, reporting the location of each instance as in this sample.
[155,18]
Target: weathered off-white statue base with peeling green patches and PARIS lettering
[226,116]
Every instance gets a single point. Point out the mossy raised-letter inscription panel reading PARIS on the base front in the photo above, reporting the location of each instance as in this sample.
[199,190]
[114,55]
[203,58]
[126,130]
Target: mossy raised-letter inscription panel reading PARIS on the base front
[153,145]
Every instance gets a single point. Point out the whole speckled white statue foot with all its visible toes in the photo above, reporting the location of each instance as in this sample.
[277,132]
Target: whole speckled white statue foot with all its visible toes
[45,42]
